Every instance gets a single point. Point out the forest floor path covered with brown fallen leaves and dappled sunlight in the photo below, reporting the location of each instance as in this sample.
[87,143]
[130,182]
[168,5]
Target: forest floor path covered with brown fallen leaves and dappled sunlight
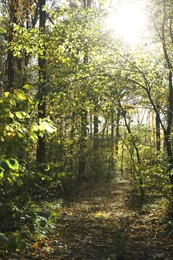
[102,222]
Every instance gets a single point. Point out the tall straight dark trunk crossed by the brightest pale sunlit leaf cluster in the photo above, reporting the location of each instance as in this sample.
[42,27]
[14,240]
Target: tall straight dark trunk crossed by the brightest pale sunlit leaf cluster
[41,87]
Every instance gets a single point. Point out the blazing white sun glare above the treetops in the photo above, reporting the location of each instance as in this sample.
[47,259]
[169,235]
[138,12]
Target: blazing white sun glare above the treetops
[128,22]
